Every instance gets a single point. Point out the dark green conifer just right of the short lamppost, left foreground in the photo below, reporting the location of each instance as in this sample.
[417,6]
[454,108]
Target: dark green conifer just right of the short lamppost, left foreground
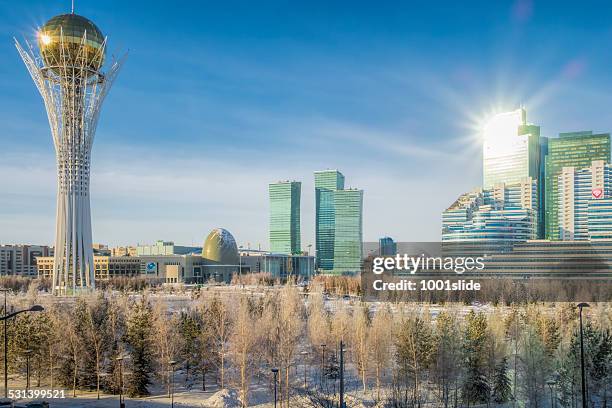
[138,338]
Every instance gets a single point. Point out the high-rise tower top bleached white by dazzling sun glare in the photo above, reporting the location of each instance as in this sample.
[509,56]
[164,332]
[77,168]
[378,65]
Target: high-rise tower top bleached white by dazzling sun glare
[511,149]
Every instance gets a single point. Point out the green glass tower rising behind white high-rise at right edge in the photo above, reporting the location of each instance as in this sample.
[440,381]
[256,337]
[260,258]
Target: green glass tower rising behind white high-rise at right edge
[575,149]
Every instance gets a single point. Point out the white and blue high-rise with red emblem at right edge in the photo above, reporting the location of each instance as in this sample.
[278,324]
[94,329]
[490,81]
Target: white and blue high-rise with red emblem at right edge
[579,190]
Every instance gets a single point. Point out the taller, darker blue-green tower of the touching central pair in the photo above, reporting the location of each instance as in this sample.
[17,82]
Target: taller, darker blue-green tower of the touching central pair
[327,182]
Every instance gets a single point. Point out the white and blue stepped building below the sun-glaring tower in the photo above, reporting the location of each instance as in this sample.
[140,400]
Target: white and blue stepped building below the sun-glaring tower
[497,217]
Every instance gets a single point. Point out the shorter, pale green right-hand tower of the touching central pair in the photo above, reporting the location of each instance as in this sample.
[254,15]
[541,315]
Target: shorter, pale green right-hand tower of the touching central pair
[348,232]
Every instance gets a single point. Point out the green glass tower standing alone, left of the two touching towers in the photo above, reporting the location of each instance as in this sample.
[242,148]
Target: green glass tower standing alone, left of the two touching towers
[285,217]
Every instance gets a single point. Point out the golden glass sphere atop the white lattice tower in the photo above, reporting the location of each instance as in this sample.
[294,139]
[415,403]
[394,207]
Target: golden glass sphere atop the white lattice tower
[70,43]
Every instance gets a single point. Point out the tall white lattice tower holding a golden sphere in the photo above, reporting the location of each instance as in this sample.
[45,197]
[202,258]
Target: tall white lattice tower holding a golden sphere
[67,68]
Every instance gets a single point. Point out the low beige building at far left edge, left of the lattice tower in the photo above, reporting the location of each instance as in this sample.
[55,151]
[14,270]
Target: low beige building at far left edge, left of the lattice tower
[21,260]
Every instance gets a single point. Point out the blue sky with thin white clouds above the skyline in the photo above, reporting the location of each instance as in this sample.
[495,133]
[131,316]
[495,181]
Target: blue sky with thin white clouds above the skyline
[217,99]
